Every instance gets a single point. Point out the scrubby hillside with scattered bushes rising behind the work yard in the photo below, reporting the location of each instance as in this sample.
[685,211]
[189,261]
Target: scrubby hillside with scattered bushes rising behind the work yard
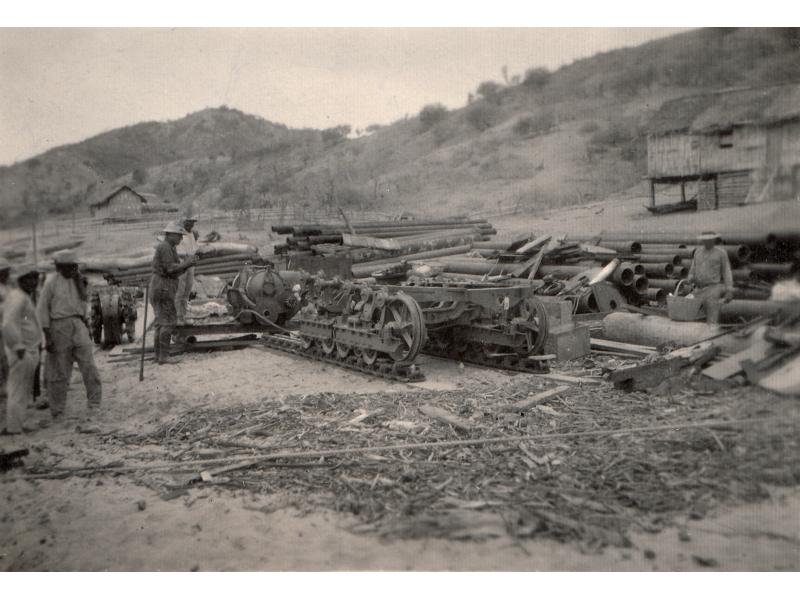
[538,139]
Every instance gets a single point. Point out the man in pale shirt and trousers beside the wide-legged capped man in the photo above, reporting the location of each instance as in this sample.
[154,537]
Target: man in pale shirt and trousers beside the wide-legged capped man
[22,338]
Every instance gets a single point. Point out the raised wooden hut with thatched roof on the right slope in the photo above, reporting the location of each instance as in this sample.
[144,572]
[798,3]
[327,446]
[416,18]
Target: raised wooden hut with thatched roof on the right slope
[740,146]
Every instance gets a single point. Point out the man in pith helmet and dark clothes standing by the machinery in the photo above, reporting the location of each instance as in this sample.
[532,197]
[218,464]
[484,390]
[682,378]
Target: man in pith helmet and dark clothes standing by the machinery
[167,268]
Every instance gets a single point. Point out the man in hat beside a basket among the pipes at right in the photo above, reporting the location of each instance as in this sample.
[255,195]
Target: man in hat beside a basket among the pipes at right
[711,275]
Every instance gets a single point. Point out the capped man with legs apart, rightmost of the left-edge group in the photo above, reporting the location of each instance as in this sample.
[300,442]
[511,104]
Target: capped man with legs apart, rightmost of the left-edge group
[62,315]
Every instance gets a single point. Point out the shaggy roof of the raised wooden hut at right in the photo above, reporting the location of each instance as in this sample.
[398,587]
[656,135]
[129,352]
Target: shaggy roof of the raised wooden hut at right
[715,111]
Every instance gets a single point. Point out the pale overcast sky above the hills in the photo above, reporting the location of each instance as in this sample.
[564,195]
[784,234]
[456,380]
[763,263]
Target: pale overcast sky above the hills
[64,85]
